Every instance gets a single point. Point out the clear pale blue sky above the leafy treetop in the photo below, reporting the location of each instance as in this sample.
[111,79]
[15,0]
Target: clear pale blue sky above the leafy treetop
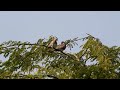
[32,25]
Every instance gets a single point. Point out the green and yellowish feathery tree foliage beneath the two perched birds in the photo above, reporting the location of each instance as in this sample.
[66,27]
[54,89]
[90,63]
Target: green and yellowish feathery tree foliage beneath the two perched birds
[37,61]
